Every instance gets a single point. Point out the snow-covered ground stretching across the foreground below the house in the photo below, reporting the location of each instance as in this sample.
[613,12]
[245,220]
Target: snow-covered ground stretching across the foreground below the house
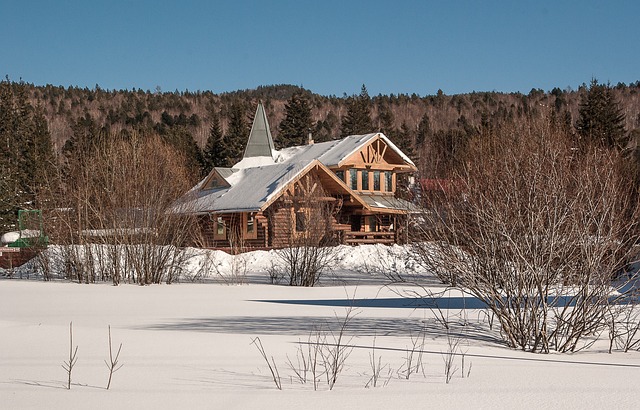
[188,345]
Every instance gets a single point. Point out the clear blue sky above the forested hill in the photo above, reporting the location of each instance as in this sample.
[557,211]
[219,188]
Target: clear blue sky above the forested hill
[329,47]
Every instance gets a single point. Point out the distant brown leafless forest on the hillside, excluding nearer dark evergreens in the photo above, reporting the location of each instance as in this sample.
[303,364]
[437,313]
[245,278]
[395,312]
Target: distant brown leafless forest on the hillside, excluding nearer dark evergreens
[409,118]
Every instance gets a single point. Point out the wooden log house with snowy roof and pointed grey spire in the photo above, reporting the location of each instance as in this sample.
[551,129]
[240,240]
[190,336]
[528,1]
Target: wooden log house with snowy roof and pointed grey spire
[267,198]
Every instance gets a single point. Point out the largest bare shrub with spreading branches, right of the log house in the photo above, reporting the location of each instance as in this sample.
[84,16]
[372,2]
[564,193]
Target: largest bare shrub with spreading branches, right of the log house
[535,227]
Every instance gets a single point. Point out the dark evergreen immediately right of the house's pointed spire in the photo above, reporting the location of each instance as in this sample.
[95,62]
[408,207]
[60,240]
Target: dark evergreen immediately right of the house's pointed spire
[297,122]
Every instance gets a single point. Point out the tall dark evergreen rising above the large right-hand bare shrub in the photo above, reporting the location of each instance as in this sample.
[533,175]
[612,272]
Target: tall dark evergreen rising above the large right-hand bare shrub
[601,119]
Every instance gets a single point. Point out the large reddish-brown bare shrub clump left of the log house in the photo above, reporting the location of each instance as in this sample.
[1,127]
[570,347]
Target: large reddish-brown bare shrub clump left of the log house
[122,197]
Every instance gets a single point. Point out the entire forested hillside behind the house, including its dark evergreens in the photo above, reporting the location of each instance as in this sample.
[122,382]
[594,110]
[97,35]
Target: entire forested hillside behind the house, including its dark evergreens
[211,129]
